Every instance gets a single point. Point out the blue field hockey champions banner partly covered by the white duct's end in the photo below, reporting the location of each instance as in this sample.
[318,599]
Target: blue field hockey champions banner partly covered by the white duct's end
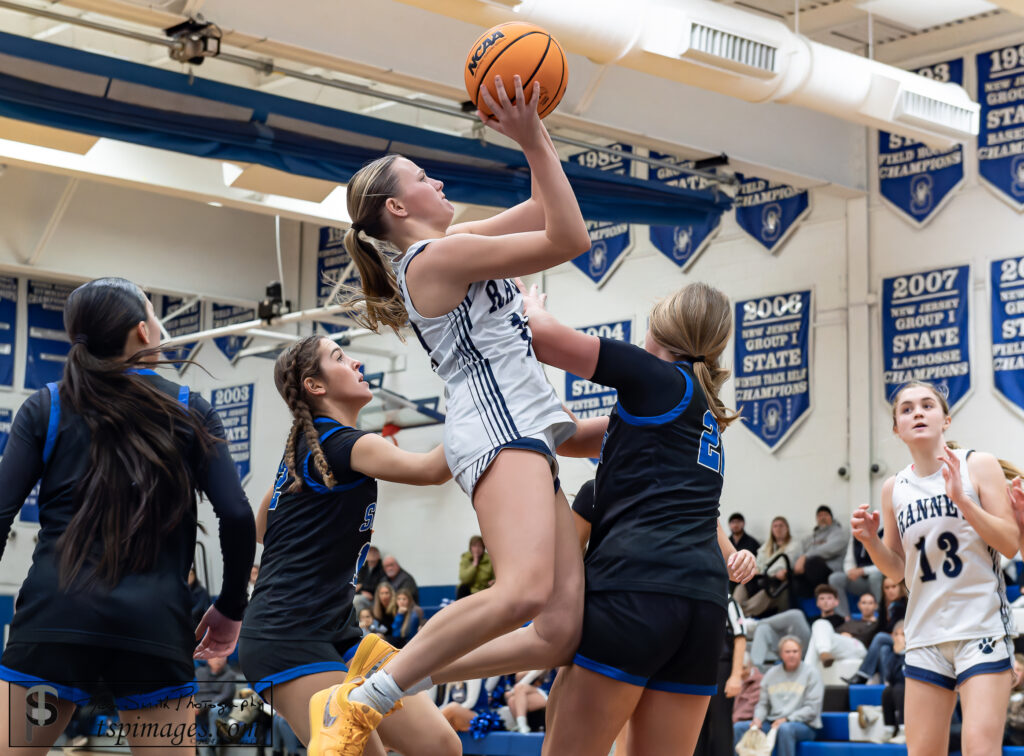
[914,179]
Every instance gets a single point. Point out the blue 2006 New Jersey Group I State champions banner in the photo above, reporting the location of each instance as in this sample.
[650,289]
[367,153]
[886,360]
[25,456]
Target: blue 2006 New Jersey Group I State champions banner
[773,365]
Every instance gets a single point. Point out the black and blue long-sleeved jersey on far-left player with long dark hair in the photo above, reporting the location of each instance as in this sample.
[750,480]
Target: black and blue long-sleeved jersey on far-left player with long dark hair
[146,612]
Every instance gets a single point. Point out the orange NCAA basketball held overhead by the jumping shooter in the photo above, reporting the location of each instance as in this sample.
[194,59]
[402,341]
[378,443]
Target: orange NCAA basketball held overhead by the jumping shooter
[518,49]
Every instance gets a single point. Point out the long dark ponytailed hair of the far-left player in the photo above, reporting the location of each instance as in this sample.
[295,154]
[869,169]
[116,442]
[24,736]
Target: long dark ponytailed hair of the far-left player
[139,486]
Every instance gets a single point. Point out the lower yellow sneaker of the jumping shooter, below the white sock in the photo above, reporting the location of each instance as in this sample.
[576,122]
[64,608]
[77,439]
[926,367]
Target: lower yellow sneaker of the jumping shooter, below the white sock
[337,726]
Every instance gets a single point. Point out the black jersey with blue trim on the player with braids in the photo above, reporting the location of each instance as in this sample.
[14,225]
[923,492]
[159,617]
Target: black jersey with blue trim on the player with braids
[315,543]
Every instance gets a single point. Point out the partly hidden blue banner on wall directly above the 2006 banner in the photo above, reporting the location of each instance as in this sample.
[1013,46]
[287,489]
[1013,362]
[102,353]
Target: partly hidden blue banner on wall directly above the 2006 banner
[771,212]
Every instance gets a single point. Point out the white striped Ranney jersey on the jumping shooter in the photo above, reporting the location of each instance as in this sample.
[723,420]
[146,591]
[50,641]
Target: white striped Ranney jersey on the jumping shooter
[495,390]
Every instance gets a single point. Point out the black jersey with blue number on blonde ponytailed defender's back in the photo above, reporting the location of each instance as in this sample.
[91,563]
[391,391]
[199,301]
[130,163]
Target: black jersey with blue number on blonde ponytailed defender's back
[659,483]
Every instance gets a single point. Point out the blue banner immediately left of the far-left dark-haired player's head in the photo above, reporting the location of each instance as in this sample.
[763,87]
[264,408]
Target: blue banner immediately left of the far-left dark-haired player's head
[48,345]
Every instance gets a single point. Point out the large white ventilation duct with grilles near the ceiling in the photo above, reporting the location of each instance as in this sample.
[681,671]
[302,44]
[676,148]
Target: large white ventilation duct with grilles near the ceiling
[739,54]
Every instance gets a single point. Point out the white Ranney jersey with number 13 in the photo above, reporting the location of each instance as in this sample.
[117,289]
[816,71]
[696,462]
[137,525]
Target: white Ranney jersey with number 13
[954,577]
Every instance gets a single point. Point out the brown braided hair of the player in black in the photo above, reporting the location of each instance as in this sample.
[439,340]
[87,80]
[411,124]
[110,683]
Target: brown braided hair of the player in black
[297,363]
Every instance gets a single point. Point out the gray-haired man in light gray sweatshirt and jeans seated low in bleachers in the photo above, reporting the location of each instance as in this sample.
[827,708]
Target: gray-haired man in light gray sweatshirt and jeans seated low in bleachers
[792,697]
